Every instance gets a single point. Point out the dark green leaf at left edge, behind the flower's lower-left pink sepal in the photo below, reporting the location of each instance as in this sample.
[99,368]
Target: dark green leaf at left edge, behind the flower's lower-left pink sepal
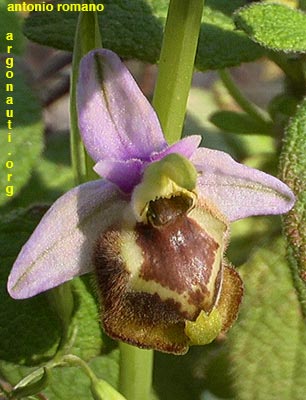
[29,329]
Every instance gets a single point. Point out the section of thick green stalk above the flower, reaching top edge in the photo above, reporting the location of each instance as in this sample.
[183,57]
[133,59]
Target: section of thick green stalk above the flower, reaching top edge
[176,65]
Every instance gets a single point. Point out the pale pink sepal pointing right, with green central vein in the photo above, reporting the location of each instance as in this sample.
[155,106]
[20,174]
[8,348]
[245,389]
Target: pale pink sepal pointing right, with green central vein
[237,190]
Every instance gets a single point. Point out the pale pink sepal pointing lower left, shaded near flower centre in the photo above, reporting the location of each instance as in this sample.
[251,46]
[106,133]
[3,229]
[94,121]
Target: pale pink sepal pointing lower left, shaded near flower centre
[61,247]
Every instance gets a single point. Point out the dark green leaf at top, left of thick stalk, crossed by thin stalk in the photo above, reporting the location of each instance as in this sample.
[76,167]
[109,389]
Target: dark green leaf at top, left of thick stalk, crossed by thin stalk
[127,28]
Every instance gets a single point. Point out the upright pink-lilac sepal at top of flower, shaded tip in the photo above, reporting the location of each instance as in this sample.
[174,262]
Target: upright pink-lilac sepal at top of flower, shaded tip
[115,119]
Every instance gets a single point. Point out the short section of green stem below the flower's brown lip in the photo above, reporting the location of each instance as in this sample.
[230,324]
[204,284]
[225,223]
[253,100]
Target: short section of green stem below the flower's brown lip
[136,366]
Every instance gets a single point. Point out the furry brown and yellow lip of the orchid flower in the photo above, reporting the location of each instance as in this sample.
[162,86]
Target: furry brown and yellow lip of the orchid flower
[159,281]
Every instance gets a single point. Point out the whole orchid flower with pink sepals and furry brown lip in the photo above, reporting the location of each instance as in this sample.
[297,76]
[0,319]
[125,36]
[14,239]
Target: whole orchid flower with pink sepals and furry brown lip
[154,228]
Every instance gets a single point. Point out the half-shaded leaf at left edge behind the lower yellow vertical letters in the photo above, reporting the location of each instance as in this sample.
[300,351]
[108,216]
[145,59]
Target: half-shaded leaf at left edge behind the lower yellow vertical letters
[20,154]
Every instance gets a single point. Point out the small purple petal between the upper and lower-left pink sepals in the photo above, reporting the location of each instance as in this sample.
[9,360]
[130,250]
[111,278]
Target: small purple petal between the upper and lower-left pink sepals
[125,174]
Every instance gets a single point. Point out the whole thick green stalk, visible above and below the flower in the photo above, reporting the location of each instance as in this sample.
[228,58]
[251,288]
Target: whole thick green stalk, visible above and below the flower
[170,100]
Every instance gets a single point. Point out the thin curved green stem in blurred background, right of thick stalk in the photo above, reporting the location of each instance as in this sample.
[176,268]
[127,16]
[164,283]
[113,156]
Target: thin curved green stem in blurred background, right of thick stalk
[242,101]
